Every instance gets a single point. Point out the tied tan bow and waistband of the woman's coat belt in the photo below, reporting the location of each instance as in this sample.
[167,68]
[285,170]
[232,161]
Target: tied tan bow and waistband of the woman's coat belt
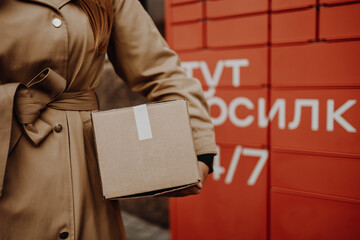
[47,90]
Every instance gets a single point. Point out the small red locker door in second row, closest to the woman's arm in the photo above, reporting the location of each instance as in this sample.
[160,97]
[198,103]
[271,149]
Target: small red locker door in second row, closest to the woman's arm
[187,36]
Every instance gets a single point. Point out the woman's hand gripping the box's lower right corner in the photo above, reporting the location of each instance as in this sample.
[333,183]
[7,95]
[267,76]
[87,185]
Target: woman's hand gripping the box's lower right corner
[204,170]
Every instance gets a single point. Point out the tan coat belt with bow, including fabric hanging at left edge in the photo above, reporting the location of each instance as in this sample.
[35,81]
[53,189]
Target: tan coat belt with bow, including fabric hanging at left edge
[47,89]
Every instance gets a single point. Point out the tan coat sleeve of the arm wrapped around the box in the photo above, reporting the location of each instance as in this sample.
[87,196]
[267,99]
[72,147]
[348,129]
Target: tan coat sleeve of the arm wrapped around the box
[143,59]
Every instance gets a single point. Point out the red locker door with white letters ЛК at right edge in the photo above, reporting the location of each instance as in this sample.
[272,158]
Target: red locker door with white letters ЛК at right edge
[324,139]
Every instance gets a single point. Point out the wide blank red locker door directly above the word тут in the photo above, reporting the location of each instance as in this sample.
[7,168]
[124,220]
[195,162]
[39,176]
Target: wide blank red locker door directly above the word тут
[237,31]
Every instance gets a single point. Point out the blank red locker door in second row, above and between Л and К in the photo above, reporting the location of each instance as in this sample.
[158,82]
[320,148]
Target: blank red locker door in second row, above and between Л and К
[296,26]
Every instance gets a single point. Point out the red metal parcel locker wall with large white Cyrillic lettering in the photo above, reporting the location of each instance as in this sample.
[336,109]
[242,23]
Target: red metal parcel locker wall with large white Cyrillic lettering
[303,205]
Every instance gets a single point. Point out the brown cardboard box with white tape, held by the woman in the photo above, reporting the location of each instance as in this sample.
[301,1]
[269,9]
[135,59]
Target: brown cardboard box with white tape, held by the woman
[145,150]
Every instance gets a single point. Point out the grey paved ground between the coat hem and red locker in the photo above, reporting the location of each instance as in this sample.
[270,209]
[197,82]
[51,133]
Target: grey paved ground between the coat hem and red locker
[138,229]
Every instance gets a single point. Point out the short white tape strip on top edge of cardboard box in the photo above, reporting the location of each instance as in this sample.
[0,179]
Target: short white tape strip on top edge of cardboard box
[142,122]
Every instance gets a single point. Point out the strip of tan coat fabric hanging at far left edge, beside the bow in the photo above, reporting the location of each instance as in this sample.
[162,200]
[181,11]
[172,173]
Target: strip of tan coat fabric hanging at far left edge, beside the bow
[8,125]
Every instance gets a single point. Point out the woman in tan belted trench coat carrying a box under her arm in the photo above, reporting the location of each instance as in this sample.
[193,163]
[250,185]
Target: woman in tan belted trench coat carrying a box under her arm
[48,173]
